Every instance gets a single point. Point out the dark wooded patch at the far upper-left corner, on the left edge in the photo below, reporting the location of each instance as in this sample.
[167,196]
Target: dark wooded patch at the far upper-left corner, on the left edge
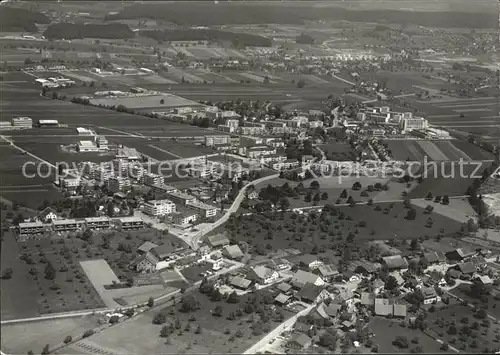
[19,20]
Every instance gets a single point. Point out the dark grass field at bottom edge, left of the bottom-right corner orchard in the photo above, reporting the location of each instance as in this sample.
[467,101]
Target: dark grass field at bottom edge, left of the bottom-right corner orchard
[387,330]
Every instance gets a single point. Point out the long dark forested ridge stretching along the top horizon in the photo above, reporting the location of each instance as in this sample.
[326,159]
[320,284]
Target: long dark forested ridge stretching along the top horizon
[248,13]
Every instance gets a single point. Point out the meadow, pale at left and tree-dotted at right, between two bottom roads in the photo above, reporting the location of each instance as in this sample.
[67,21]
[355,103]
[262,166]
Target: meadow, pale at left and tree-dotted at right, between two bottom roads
[140,335]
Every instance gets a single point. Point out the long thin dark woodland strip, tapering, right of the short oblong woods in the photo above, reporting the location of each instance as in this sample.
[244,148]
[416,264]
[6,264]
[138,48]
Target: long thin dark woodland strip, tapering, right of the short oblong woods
[241,39]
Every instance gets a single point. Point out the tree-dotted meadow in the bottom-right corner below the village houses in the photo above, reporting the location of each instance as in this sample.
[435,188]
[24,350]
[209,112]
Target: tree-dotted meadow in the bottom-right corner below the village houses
[466,335]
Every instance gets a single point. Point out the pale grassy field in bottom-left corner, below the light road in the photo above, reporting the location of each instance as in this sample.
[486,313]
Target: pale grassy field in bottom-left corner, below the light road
[50,332]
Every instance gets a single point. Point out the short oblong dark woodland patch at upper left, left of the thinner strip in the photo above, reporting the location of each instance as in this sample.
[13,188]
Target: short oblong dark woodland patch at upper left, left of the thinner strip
[75,31]
